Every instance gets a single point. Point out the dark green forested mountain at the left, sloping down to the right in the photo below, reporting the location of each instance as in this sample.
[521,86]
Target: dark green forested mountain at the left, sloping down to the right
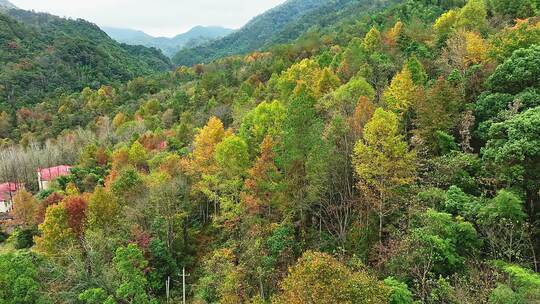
[43,56]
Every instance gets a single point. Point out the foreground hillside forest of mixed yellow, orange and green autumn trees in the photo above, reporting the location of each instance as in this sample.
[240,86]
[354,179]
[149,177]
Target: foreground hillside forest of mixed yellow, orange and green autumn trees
[391,155]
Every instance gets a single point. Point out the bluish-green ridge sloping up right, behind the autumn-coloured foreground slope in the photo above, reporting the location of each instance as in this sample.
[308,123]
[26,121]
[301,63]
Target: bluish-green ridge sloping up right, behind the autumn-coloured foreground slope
[282,24]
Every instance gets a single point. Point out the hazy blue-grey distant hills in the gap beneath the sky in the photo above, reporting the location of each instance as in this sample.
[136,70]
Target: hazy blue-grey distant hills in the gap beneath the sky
[170,46]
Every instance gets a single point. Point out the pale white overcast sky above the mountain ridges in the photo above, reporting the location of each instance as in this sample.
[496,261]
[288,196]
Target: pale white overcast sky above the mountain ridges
[155,17]
